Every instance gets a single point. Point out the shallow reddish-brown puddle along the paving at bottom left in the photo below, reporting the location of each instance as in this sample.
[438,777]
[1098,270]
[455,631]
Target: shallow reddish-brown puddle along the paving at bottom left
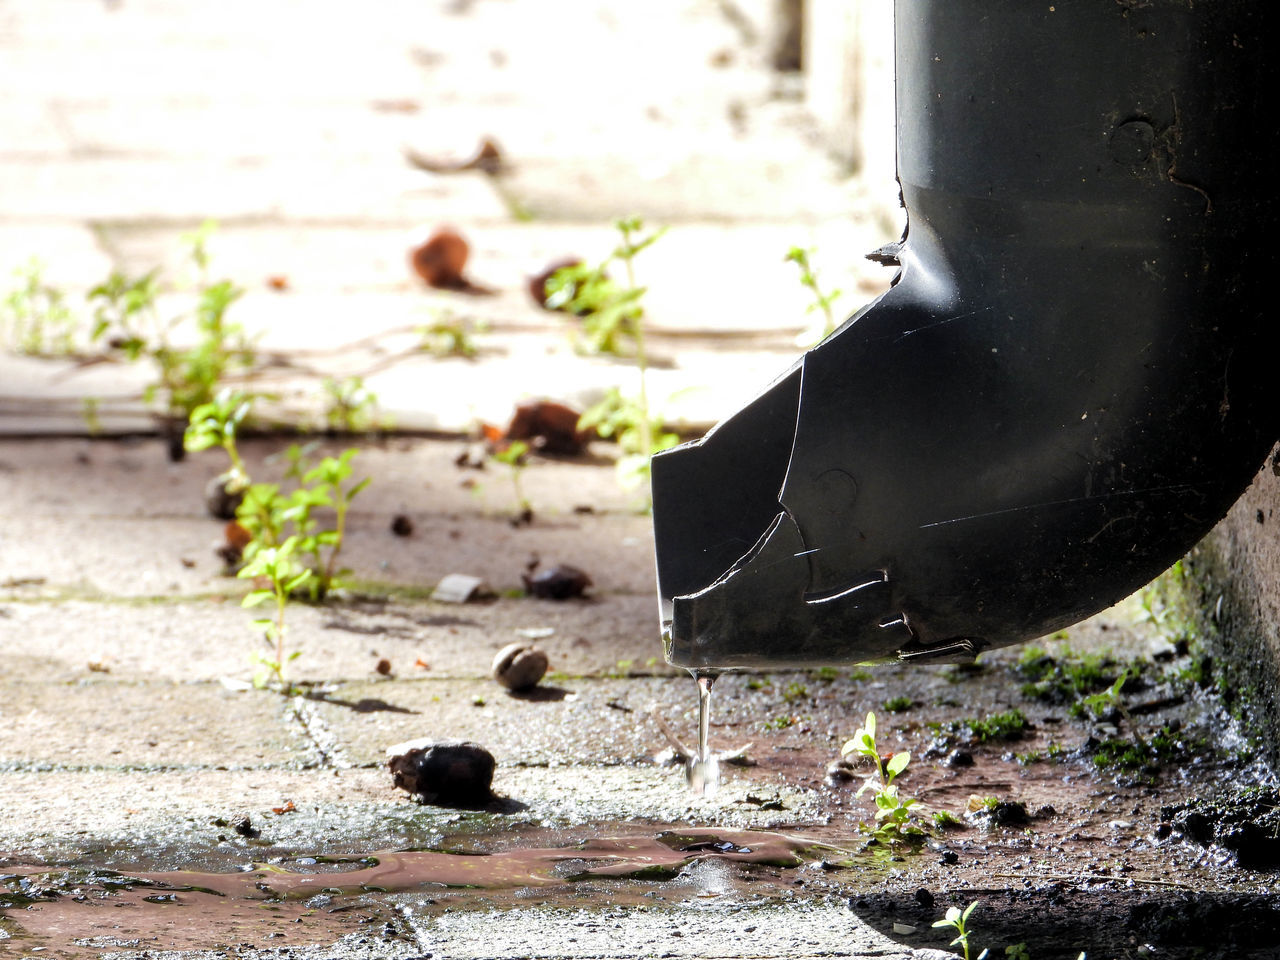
[318,900]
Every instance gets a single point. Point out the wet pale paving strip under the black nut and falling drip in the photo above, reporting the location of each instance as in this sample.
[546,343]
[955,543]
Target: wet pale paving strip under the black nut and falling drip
[166,819]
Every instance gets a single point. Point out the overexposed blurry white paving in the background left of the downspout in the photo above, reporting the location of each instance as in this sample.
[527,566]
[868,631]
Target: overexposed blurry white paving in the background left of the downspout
[324,140]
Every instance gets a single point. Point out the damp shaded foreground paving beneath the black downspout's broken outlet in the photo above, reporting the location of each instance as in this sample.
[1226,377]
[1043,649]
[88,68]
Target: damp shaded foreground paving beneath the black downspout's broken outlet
[131,742]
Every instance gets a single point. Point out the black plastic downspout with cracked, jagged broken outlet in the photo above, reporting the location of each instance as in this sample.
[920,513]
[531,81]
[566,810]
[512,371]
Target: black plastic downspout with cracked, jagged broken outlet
[1069,382]
